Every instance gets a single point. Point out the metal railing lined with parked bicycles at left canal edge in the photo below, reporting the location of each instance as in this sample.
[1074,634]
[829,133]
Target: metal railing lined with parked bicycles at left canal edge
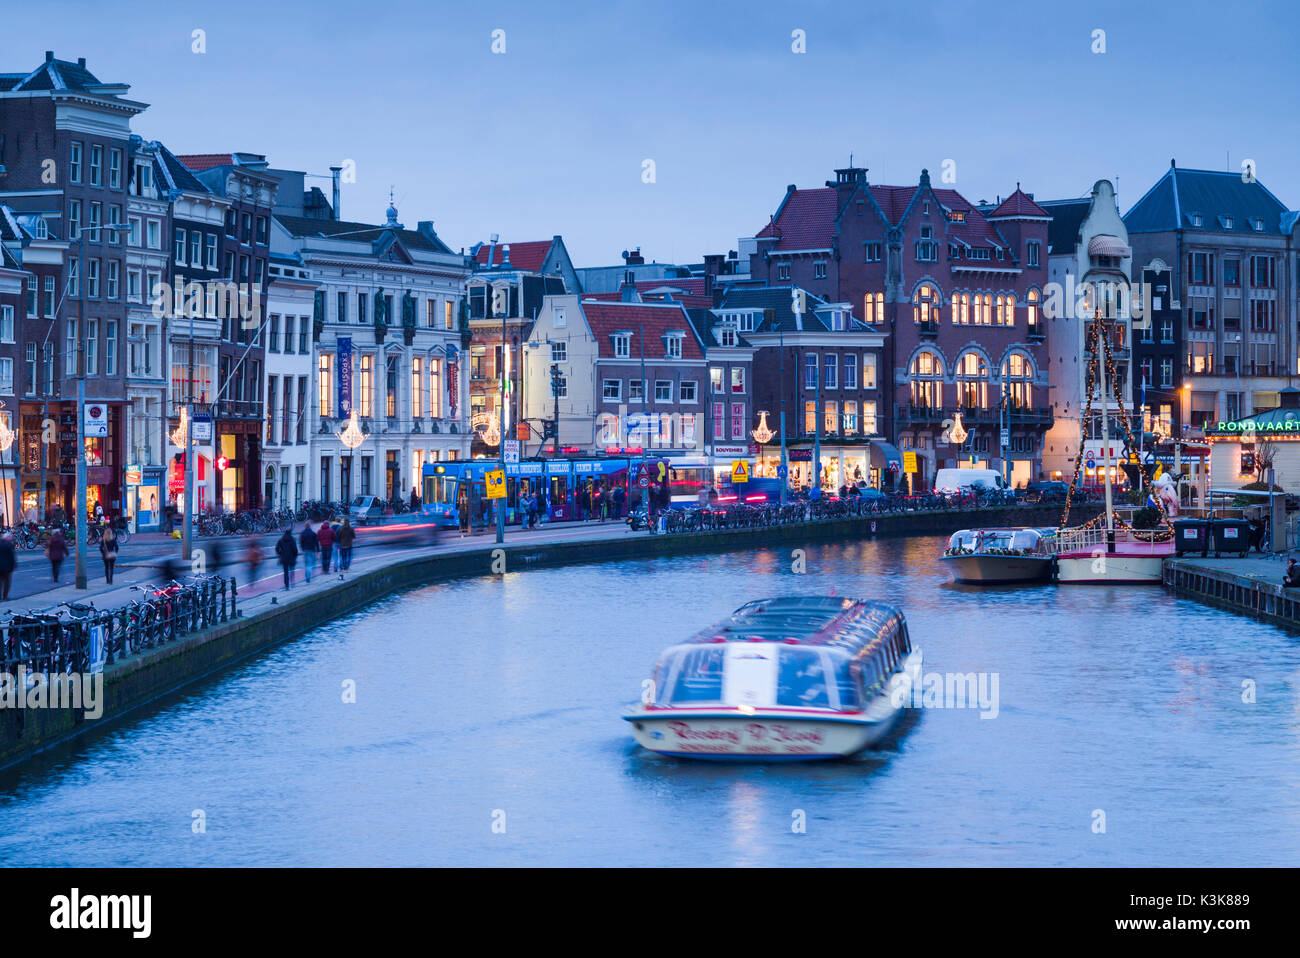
[76,638]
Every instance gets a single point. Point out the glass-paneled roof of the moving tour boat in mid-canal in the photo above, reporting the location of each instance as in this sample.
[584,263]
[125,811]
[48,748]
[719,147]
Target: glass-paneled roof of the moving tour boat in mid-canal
[827,621]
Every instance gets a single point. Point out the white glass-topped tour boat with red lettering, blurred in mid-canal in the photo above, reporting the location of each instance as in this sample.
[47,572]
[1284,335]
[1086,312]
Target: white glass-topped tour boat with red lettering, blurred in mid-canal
[798,678]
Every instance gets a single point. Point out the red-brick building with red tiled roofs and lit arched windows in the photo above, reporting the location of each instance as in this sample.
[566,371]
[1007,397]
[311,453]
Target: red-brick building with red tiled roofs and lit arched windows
[956,292]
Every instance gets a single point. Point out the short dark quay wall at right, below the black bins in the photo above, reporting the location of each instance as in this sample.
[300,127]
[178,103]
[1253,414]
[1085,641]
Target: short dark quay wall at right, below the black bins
[1251,587]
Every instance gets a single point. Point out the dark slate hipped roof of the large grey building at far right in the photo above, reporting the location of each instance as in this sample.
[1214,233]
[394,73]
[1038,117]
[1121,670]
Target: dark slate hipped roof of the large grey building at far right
[1182,194]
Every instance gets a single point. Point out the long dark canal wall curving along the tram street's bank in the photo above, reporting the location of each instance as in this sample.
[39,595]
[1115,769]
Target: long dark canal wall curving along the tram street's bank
[144,678]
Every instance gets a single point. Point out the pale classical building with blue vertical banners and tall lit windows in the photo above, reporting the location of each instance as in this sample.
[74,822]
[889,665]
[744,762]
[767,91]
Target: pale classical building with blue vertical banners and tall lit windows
[387,343]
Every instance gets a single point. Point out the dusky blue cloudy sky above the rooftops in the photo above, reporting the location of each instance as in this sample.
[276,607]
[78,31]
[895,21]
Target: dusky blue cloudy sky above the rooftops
[551,137]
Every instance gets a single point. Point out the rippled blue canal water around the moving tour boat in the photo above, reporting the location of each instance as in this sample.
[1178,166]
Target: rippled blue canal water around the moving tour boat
[487,731]
